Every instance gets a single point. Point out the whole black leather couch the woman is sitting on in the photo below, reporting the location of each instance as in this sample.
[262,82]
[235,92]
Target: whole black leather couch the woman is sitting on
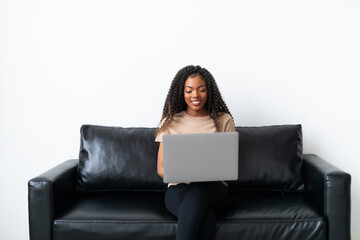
[113,191]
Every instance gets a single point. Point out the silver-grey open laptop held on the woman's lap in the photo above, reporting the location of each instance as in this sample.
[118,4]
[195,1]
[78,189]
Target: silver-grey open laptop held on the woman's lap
[200,157]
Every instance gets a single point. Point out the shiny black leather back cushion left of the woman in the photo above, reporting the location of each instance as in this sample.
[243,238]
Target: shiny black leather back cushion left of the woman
[113,158]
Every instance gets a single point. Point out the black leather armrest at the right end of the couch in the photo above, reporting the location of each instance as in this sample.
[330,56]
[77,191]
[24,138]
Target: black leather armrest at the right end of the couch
[329,188]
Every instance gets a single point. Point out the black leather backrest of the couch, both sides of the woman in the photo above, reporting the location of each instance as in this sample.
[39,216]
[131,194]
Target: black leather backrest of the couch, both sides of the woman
[117,158]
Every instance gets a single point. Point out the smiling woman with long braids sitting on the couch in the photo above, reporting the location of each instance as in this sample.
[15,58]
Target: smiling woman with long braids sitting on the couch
[194,105]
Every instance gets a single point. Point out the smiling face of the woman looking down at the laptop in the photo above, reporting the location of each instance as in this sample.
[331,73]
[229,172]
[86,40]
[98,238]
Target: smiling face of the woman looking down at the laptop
[195,95]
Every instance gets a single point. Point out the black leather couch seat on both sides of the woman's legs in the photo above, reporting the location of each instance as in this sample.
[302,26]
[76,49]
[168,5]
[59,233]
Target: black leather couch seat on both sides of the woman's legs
[137,215]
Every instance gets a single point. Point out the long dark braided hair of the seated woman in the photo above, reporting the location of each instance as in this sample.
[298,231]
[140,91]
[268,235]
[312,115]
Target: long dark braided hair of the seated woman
[175,101]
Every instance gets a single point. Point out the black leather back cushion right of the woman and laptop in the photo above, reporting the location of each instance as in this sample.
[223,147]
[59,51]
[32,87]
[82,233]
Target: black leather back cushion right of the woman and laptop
[270,158]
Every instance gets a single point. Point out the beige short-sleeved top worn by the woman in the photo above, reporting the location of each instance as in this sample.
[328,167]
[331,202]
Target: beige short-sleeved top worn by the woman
[183,123]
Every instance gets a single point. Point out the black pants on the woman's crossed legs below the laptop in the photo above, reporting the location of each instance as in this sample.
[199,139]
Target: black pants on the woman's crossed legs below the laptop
[196,205]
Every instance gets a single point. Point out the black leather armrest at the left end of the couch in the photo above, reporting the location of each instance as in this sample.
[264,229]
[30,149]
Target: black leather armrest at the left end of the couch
[48,194]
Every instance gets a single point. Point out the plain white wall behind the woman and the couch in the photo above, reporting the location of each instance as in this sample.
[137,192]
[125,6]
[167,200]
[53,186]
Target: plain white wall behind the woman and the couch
[67,63]
